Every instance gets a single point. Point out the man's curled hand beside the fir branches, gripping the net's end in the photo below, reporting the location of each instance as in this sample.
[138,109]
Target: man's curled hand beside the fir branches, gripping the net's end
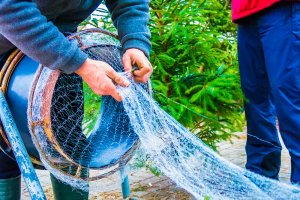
[136,57]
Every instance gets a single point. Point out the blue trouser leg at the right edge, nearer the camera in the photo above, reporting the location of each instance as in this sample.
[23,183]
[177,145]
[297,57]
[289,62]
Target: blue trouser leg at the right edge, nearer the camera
[278,32]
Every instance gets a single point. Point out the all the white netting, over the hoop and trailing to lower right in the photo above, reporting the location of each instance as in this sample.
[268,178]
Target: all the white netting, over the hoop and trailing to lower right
[79,148]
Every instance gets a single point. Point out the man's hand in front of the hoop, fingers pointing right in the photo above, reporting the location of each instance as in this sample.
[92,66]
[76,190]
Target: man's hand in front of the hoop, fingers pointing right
[101,78]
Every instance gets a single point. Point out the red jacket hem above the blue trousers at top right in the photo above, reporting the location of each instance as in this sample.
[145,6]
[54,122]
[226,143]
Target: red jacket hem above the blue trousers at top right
[243,8]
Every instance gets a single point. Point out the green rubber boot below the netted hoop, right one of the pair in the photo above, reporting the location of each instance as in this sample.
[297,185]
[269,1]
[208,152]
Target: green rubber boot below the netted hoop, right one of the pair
[64,191]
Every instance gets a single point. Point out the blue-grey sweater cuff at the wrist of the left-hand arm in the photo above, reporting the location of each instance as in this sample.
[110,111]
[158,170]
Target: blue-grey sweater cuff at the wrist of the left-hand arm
[75,62]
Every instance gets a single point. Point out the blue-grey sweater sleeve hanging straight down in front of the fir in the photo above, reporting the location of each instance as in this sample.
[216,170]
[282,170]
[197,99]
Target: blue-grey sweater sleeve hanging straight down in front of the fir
[130,17]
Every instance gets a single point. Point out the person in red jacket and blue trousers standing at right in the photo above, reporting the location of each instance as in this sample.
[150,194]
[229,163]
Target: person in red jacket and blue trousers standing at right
[269,59]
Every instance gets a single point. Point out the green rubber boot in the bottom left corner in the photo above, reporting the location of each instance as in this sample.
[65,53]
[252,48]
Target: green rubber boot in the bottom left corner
[10,189]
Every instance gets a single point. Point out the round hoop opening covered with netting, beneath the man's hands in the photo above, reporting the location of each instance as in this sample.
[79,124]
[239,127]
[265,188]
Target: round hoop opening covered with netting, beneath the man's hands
[55,117]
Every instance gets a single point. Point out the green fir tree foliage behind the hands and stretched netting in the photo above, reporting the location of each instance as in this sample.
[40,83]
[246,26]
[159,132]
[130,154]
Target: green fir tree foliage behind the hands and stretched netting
[195,76]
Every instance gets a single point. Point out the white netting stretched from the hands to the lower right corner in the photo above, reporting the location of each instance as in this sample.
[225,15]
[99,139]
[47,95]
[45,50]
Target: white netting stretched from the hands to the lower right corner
[188,161]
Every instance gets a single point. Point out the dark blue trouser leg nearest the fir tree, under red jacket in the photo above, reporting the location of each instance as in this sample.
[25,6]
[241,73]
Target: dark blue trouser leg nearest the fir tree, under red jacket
[263,146]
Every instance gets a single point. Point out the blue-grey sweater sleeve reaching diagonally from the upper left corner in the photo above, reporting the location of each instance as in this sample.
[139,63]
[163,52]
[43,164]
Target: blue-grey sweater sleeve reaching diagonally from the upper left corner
[22,23]
